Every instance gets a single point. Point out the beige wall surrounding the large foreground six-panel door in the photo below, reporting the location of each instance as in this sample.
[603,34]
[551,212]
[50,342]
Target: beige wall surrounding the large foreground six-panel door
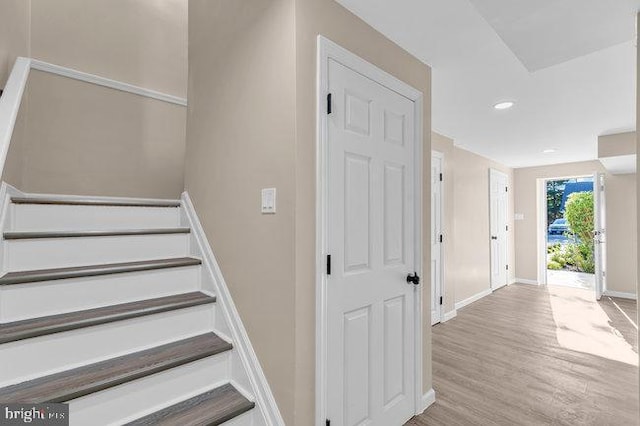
[328,18]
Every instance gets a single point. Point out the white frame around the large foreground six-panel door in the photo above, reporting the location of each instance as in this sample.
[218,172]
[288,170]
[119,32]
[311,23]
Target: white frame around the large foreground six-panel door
[327,49]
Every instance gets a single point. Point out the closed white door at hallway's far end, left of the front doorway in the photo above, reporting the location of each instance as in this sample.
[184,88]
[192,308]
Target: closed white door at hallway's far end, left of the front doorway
[499,227]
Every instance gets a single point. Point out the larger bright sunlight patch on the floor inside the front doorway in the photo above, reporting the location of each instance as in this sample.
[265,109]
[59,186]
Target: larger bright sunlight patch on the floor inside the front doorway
[582,325]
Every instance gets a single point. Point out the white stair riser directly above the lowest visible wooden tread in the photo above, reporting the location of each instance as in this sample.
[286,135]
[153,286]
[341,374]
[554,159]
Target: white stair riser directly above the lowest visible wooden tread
[136,399]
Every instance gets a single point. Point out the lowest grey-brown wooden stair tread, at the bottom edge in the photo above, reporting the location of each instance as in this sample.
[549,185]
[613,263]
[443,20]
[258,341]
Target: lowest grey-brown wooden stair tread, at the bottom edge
[207,409]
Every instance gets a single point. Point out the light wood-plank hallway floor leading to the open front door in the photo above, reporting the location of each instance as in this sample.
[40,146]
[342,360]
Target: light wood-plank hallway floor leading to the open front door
[528,355]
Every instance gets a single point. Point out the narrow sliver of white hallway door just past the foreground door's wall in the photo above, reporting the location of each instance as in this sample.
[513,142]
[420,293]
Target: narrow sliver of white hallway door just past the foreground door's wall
[437,274]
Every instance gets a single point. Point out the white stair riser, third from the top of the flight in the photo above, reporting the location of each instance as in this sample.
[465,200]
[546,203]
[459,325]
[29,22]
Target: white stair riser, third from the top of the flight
[30,300]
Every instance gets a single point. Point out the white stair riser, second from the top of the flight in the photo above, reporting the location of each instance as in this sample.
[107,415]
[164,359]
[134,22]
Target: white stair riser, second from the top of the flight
[60,252]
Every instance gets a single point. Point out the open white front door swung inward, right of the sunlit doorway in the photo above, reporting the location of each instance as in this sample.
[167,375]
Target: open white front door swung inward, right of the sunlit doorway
[599,234]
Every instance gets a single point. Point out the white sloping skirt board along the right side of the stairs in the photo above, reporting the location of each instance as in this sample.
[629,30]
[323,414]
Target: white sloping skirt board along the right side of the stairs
[263,395]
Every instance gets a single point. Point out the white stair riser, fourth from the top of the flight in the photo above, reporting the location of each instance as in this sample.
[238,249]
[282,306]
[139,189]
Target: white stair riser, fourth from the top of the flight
[39,356]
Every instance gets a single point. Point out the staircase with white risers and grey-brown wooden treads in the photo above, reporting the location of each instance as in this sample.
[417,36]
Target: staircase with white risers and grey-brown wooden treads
[105,304]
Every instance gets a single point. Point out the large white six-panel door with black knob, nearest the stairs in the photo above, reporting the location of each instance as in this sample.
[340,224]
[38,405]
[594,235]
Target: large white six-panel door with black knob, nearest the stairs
[370,219]
